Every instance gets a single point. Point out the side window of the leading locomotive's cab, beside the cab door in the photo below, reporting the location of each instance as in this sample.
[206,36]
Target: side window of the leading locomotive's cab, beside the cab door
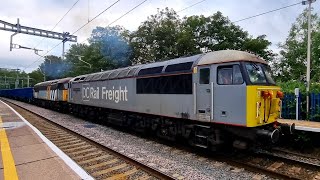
[229,75]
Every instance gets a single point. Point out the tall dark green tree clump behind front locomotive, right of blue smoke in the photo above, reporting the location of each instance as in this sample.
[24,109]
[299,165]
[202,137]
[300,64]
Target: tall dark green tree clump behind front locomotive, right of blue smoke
[165,36]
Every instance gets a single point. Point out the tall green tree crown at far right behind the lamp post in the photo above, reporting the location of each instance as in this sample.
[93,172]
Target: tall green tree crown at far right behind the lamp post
[293,56]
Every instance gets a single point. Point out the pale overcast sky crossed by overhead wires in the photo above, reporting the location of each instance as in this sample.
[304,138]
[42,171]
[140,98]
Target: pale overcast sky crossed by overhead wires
[44,14]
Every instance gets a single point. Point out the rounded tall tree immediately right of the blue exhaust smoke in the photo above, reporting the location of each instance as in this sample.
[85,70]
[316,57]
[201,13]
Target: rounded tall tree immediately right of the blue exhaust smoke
[157,37]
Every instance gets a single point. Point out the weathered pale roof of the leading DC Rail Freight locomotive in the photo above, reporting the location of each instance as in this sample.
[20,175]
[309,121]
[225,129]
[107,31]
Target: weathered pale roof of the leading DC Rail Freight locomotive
[182,64]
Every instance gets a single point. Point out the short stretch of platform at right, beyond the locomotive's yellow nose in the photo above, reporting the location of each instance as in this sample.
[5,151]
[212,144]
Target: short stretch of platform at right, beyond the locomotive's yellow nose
[303,125]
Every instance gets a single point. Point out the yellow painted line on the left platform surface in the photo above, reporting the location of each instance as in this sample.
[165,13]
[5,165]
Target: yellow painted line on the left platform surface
[9,168]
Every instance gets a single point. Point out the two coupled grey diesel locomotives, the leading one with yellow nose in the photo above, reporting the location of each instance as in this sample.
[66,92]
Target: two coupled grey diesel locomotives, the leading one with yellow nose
[213,99]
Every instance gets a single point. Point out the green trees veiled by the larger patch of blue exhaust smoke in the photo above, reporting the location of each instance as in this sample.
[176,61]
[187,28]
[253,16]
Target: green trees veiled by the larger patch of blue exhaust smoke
[108,49]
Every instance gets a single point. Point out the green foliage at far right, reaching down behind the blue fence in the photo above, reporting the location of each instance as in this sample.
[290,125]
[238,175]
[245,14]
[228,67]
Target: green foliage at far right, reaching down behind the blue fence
[291,68]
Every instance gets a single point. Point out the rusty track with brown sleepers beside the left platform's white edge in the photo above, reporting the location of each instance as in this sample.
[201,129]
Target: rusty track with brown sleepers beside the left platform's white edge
[99,161]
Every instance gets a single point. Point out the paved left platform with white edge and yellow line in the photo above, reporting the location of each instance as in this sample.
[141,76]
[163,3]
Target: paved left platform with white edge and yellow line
[27,154]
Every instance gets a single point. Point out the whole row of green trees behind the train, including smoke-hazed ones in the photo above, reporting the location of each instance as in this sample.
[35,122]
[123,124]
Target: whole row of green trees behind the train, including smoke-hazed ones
[162,36]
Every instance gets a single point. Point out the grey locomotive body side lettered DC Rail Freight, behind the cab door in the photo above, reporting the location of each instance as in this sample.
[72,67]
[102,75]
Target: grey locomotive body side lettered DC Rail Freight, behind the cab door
[148,93]
